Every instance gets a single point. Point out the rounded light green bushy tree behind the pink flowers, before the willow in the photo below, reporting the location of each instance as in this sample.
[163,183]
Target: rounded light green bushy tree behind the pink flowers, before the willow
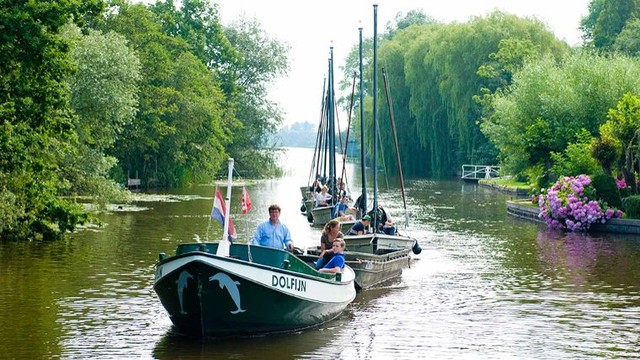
[551,101]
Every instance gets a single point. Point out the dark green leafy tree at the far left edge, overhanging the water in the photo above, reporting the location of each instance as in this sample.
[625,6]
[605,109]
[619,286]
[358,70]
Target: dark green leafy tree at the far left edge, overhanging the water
[36,119]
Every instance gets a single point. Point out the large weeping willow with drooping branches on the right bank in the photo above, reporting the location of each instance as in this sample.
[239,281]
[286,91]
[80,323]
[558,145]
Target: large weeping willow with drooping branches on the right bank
[442,71]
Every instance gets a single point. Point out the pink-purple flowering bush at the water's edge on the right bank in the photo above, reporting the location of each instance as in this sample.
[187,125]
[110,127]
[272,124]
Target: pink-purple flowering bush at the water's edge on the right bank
[567,205]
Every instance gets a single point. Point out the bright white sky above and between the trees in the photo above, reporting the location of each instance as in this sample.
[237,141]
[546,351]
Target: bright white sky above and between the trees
[311,28]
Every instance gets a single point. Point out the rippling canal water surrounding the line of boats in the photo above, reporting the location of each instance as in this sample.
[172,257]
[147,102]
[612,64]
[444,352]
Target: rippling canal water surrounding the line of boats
[486,285]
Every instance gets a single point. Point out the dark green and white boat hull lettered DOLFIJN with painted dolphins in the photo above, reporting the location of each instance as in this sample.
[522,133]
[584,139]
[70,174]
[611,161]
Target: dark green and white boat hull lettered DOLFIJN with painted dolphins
[254,290]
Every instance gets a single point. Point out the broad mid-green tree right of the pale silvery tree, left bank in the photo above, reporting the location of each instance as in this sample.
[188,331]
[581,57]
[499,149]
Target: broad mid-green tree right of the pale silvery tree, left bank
[177,136]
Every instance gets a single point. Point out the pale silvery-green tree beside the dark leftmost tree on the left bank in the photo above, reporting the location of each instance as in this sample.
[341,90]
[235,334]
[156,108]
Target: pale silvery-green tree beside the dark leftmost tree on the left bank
[104,95]
